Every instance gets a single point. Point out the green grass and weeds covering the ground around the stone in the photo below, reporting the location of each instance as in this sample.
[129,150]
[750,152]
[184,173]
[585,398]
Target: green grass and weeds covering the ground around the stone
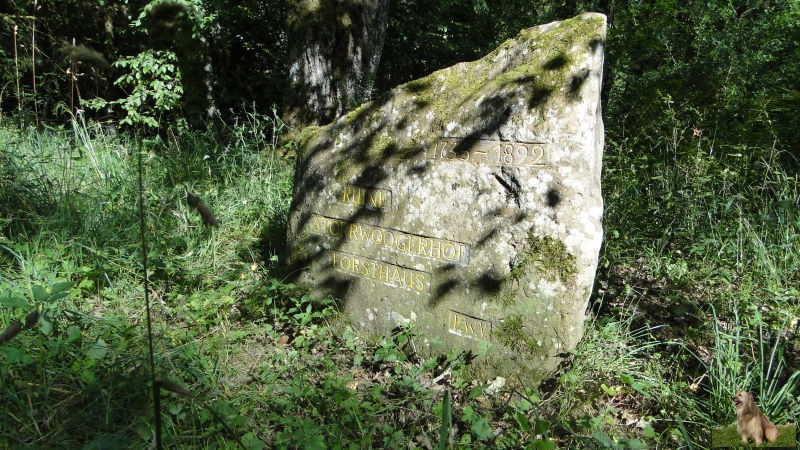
[696,297]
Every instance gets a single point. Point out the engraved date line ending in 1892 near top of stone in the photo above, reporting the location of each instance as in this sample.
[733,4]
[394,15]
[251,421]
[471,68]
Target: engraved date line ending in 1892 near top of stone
[495,153]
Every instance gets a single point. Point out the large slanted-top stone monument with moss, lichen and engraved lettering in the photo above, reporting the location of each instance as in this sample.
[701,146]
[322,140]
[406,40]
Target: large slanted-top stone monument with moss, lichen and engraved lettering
[467,202]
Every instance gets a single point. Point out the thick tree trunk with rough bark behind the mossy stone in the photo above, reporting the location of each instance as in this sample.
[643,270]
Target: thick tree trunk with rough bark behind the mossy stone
[334,50]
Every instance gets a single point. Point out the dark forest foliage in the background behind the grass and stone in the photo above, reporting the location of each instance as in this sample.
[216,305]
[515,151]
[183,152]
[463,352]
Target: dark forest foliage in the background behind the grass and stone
[725,67]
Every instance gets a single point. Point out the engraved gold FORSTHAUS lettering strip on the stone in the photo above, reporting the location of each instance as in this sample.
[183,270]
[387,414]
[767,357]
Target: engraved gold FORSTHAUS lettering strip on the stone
[384,272]
